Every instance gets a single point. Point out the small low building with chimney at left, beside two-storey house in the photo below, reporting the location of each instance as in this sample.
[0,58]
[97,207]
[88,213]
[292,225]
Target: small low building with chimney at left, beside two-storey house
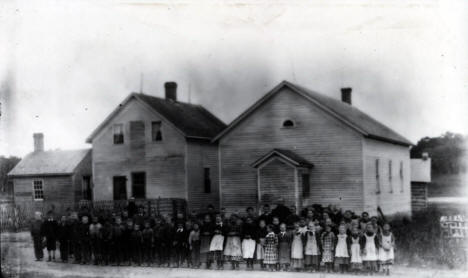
[52,179]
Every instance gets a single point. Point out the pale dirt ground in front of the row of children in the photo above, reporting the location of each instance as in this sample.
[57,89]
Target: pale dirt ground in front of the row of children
[18,260]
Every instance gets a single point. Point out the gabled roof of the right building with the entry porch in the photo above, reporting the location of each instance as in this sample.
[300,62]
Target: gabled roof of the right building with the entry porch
[350,115]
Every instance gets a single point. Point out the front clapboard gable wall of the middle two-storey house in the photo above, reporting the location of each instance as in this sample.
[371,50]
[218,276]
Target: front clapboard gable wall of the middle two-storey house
[163,161]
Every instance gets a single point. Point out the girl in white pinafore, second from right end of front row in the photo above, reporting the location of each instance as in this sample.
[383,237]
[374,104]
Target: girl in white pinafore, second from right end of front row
[369,243]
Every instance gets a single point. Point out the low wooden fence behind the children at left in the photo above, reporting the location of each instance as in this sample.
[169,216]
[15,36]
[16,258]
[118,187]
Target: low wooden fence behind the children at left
[16,217]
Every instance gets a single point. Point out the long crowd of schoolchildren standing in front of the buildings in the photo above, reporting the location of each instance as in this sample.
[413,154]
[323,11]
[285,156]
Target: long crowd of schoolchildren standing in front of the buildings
[279,240]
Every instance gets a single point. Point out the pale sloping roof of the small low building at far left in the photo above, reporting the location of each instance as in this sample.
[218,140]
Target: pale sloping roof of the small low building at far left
[45,163]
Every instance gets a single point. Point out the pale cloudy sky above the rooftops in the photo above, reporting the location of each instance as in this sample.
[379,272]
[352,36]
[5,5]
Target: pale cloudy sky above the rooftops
[65,65]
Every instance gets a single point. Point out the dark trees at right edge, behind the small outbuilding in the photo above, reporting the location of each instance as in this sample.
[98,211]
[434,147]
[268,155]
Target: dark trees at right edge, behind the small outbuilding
[448,152]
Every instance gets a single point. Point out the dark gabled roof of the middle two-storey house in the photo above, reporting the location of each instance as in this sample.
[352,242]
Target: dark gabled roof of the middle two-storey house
[192,120]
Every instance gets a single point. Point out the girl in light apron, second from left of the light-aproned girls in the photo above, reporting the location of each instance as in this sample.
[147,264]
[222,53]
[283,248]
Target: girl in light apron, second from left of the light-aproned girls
[233,249]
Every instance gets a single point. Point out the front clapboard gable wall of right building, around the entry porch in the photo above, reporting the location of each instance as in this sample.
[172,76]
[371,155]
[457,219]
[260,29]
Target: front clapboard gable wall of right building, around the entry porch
[333,148]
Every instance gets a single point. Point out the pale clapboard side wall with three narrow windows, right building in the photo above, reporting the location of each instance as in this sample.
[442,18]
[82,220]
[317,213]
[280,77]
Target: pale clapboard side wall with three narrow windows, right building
[395,193]
